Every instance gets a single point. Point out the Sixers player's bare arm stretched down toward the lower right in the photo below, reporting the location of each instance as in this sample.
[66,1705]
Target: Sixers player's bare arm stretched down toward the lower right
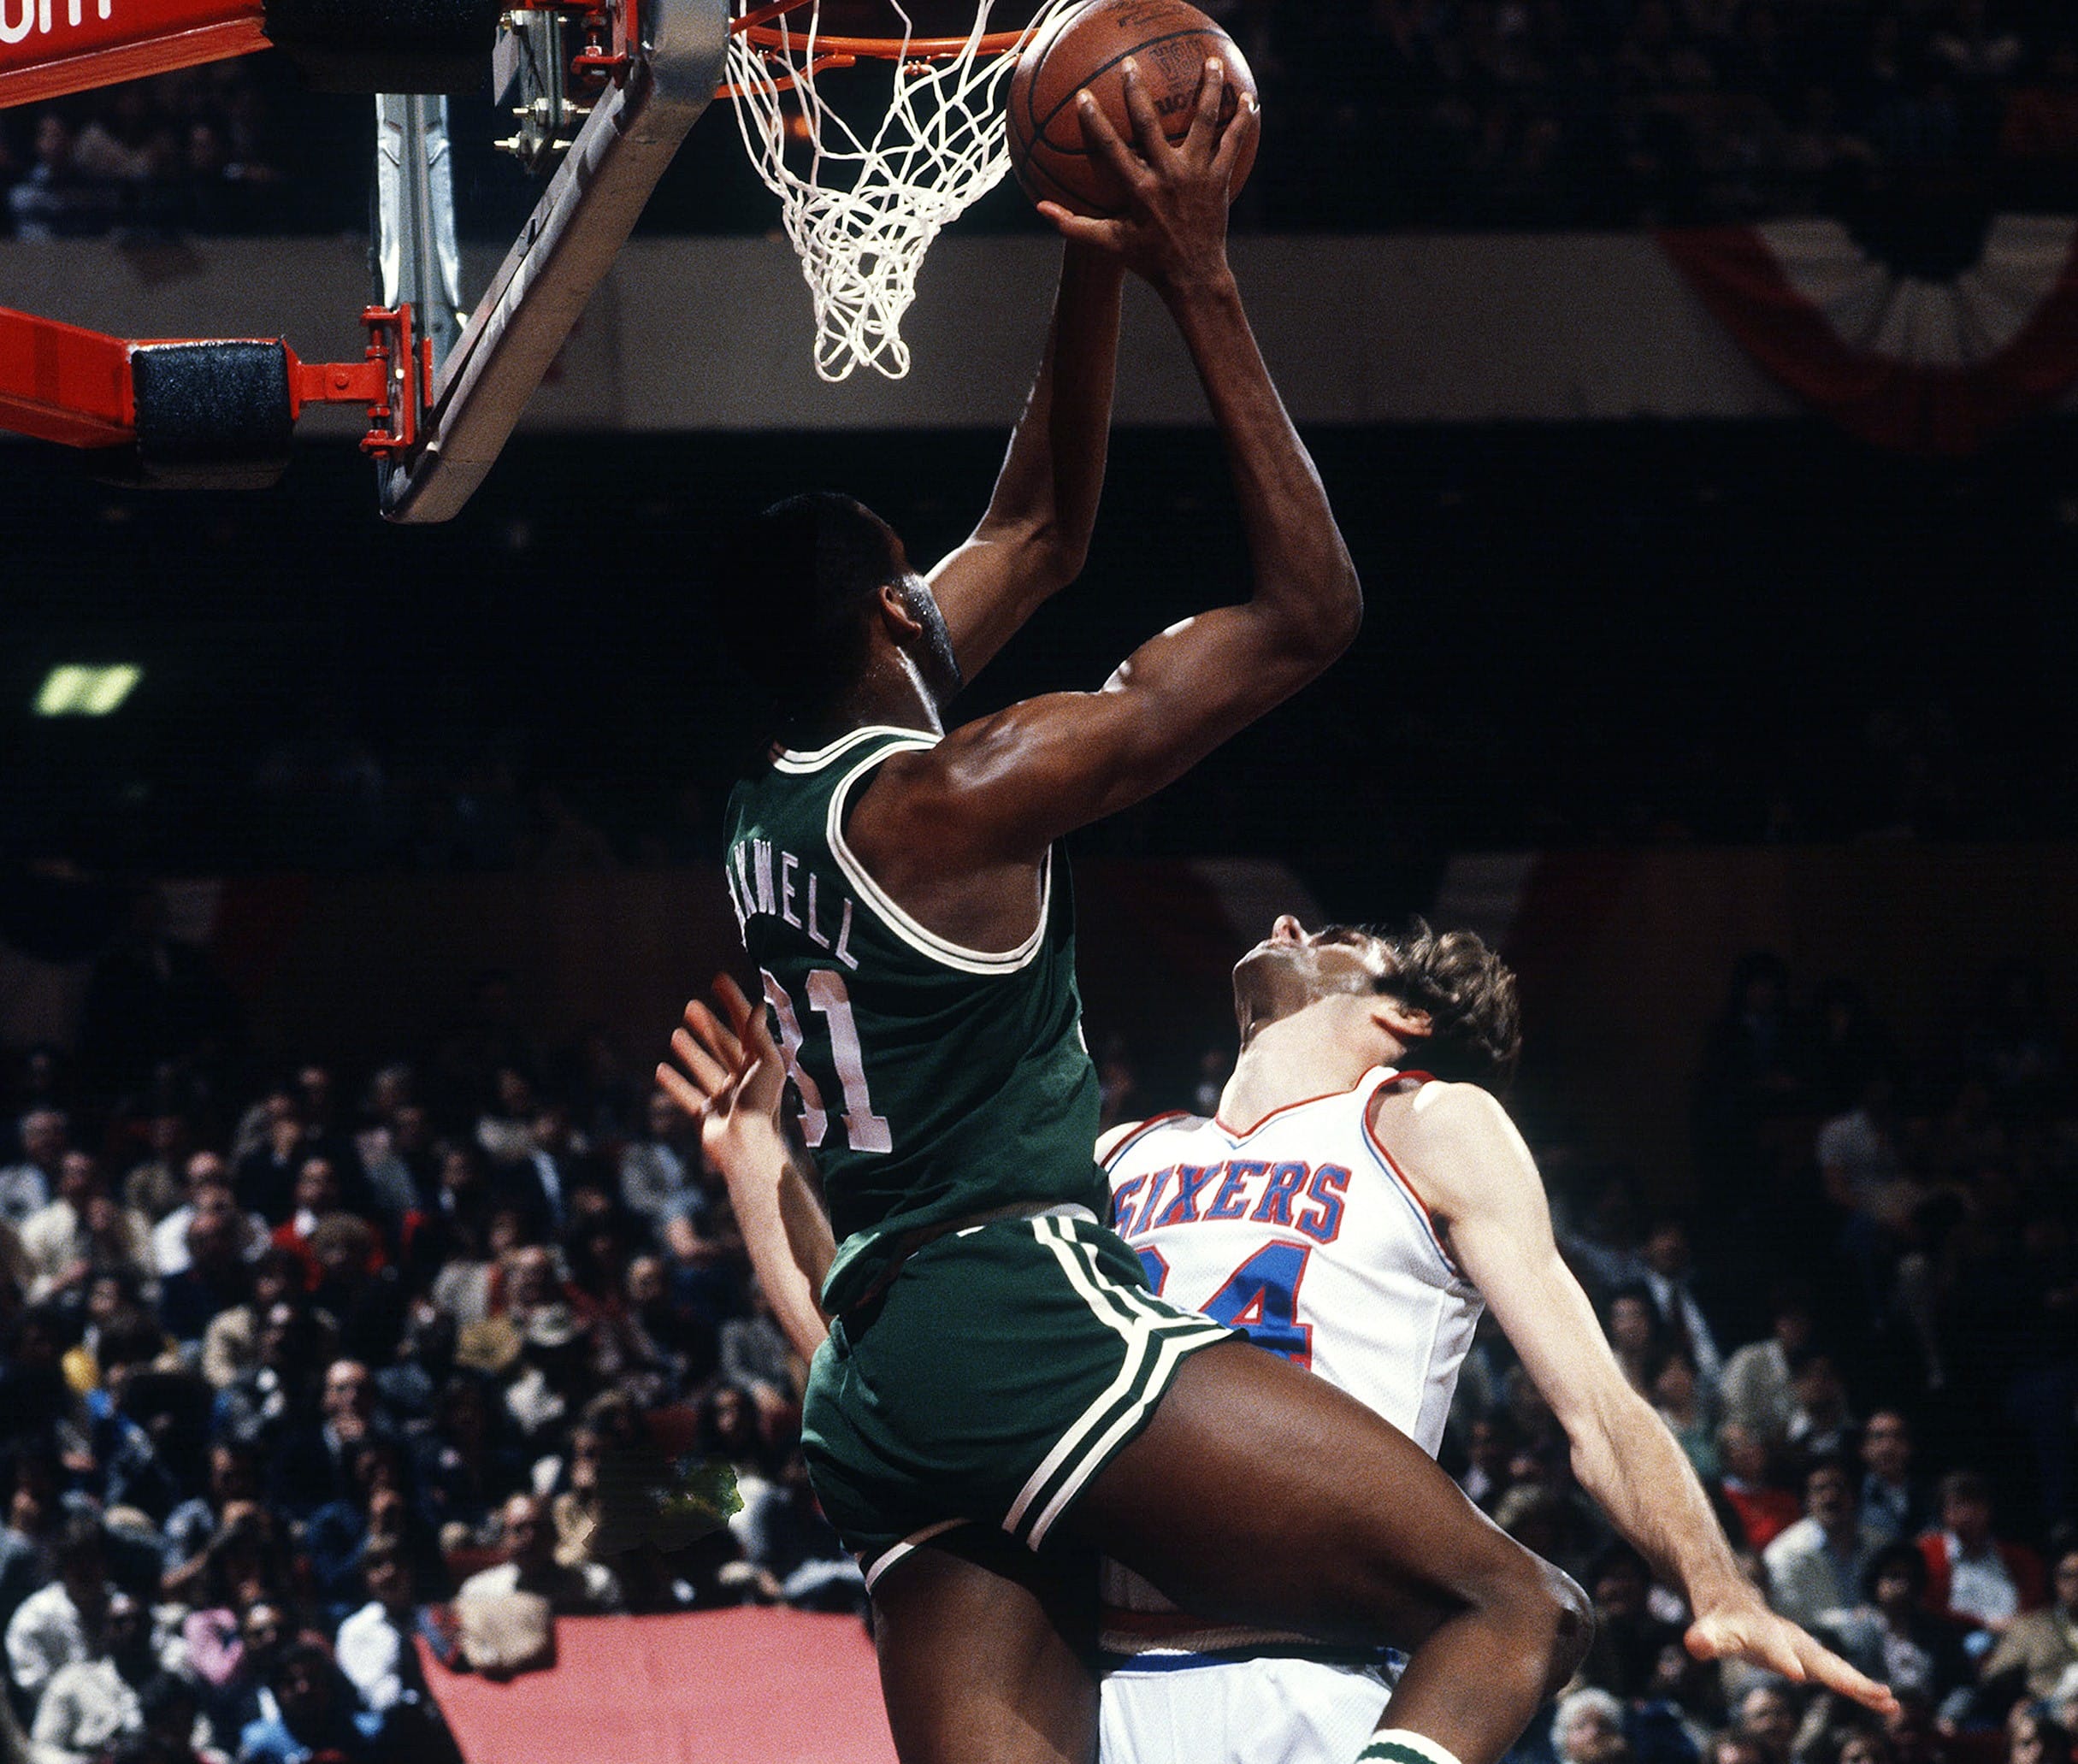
[1472,1169]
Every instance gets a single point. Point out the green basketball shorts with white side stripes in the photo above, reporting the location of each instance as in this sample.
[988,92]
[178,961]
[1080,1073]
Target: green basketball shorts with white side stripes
[1001,1370]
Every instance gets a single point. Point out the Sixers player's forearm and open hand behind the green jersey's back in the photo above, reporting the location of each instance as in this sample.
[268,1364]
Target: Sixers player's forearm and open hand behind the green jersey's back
[730,1079]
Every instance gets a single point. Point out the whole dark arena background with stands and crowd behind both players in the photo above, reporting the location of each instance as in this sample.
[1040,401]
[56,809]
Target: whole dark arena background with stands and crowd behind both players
[1697,387]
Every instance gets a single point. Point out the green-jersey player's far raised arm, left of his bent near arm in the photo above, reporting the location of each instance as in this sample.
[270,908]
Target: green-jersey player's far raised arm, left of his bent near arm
[1036,533]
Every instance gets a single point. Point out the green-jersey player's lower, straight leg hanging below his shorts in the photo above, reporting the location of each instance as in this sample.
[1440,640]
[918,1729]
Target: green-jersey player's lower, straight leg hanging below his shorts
[988,1653]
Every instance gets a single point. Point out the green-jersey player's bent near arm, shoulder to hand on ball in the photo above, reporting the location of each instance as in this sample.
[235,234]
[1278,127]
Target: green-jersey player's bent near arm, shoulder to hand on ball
[1001,789]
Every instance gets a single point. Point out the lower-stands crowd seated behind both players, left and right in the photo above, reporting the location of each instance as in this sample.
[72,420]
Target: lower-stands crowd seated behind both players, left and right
[298,1374]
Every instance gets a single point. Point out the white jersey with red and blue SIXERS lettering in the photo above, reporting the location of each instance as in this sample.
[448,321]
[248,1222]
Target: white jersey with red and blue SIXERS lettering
[1306,1235]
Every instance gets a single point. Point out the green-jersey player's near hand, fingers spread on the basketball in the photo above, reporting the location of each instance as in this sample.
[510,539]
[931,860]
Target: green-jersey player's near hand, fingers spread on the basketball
[1175,225]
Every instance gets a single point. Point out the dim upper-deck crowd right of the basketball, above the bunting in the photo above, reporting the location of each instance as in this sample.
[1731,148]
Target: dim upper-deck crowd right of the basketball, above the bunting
[1611,113]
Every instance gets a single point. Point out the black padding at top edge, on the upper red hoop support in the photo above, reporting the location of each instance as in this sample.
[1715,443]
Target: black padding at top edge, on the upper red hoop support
[388,45]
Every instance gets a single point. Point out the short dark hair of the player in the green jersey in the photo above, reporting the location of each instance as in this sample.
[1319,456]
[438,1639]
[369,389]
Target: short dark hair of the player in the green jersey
[793,593]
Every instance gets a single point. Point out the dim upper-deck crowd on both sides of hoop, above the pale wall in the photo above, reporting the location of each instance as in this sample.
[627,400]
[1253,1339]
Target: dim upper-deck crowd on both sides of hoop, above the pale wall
[1433,113]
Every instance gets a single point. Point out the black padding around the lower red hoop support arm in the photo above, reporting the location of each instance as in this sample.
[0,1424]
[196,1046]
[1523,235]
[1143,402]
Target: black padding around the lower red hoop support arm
[213,417]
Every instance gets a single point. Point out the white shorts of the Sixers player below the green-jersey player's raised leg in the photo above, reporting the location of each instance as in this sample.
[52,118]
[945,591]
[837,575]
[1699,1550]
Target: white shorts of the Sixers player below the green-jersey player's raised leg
[1240,1713]
